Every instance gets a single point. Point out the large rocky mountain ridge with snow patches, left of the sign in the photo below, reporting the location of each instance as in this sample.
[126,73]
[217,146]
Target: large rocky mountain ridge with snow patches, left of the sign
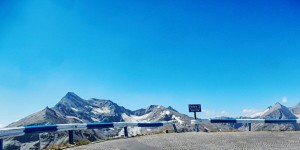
[73,109]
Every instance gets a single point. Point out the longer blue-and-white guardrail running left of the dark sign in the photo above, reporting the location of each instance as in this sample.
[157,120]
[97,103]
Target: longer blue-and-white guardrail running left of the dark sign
[20,131]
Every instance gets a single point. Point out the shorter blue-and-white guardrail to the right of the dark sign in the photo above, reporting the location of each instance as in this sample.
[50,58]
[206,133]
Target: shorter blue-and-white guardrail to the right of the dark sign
[247,121]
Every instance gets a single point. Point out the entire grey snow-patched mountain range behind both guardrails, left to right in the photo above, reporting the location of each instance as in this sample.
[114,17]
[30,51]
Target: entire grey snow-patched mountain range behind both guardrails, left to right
[73,109]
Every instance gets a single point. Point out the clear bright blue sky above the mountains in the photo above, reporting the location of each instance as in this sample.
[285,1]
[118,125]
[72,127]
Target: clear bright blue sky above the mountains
[233,57]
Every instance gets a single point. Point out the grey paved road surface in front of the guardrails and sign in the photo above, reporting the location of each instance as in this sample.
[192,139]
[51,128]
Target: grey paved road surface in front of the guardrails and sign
[192,140]
